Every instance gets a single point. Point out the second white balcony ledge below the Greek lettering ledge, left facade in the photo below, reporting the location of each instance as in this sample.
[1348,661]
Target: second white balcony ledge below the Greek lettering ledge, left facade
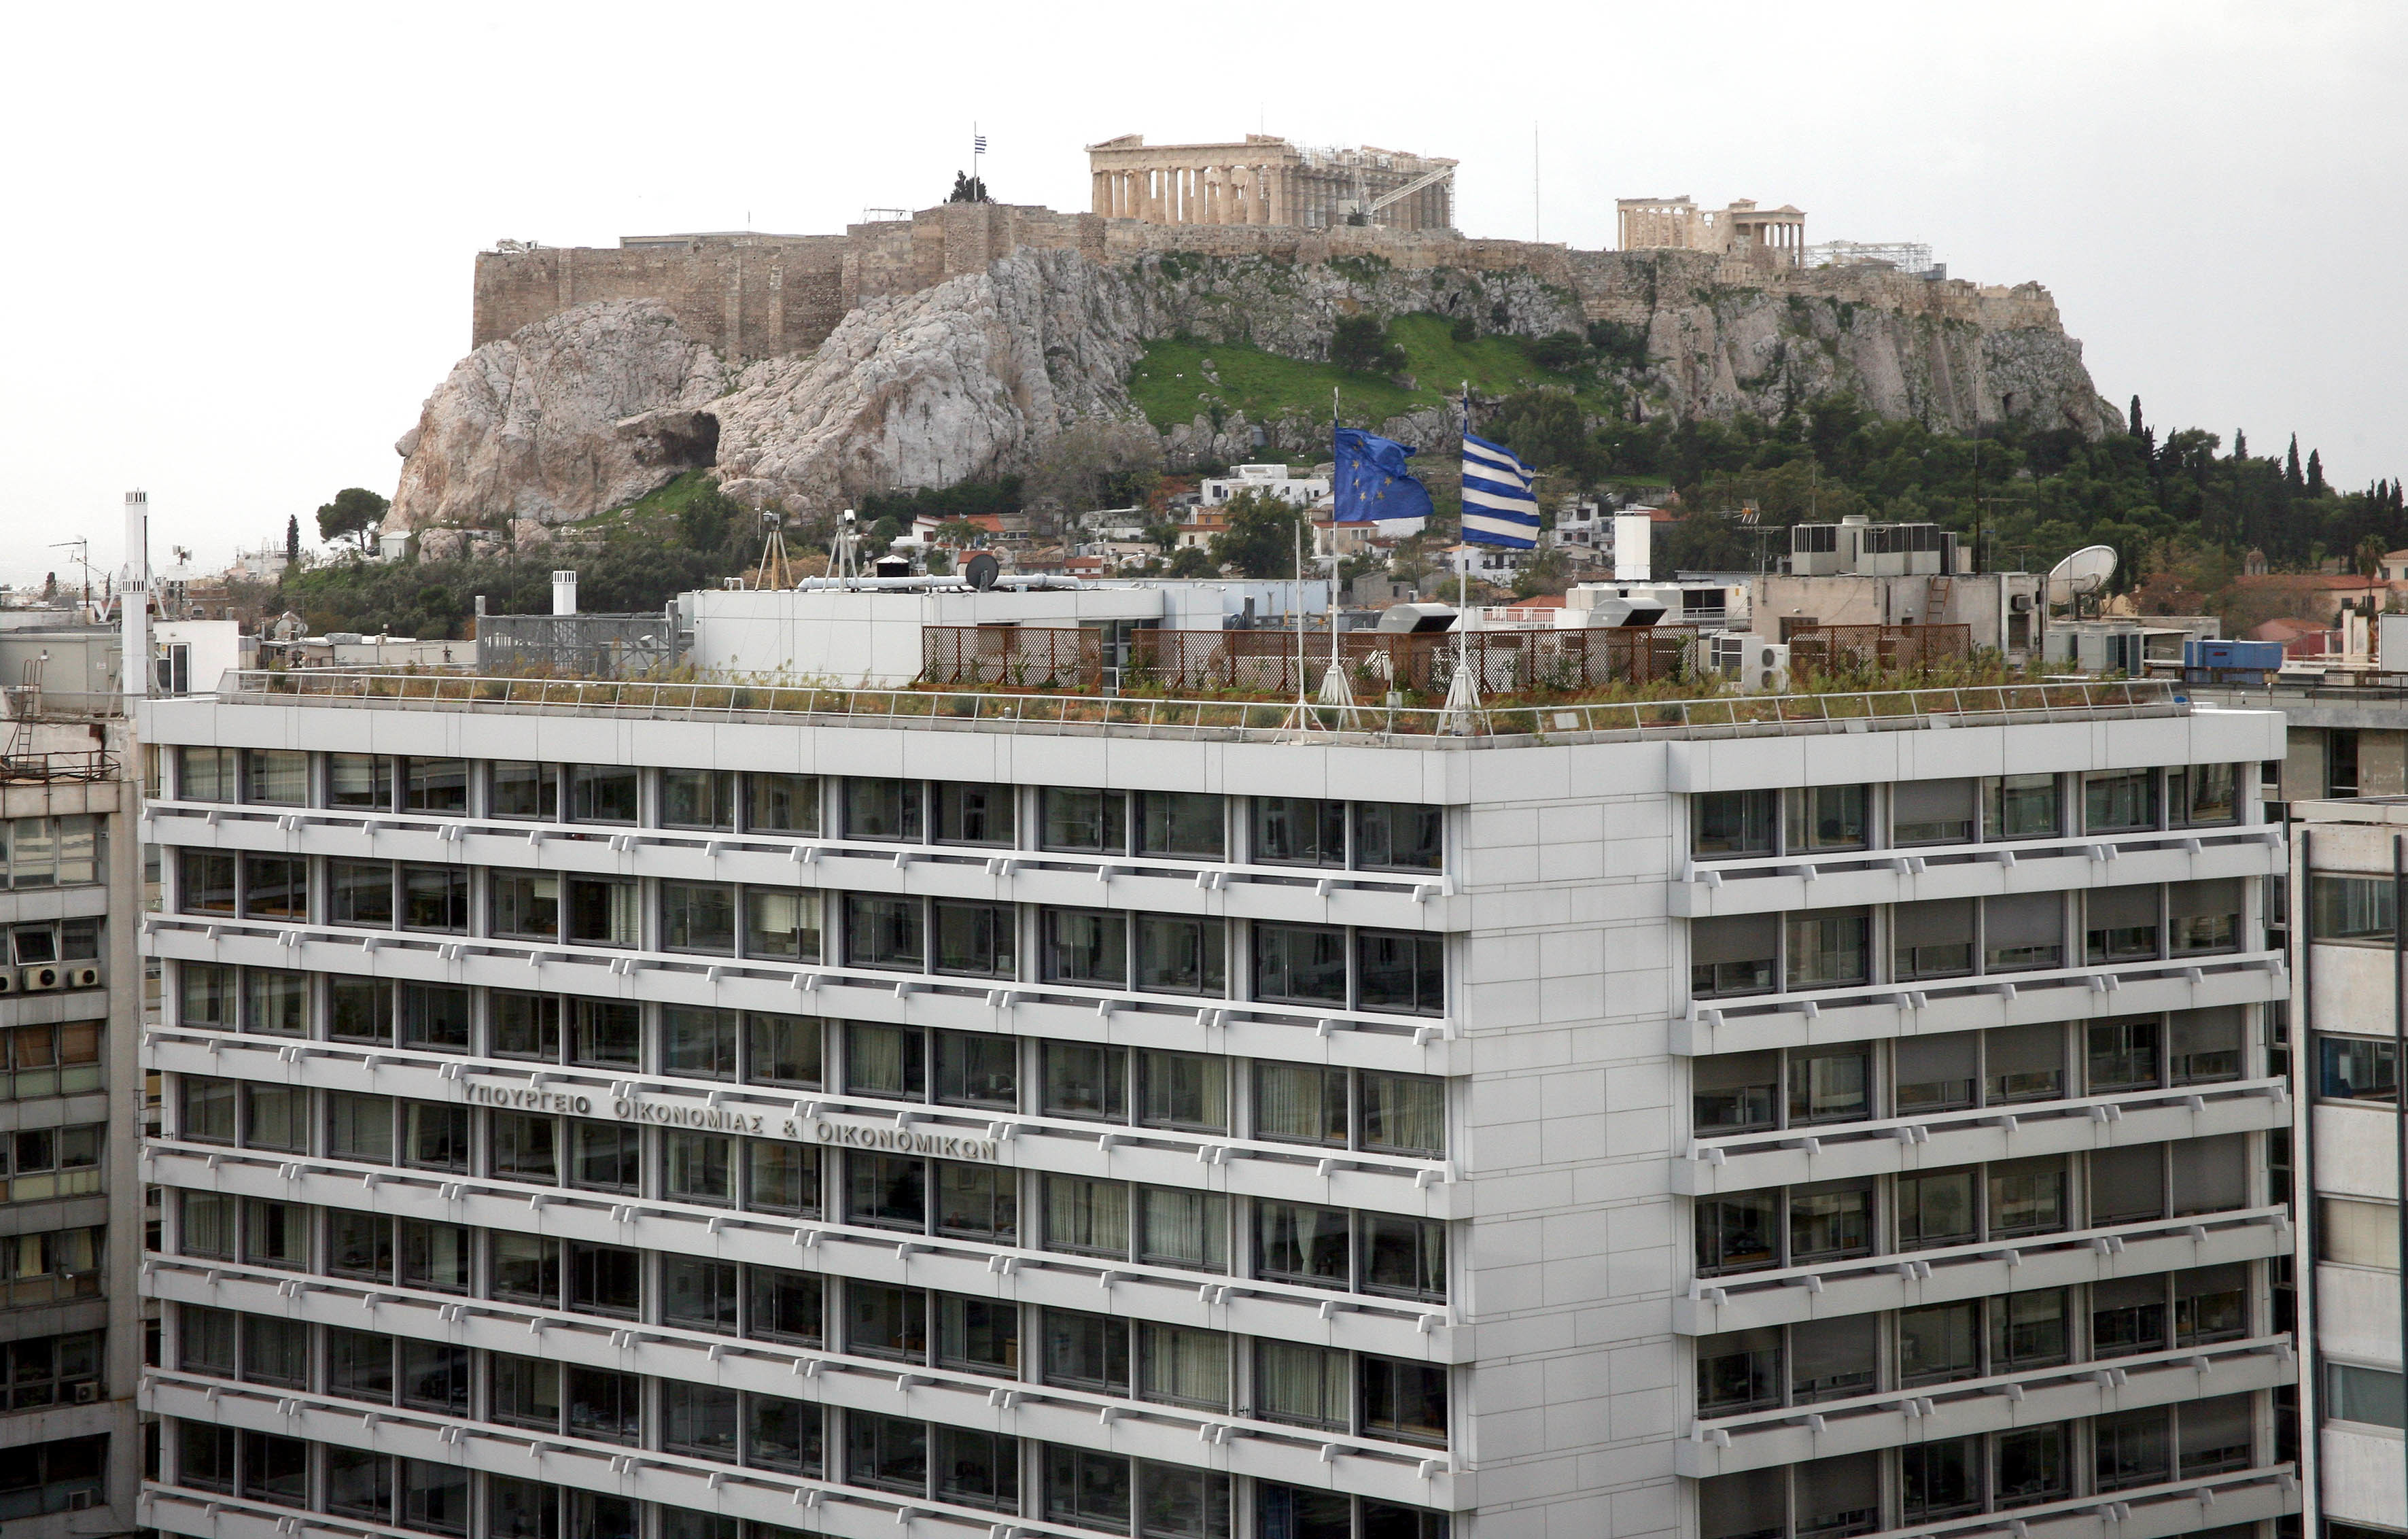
[1022,1410]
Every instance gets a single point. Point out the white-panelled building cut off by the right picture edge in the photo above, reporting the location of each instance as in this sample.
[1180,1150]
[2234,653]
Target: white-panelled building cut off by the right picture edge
[2349,861]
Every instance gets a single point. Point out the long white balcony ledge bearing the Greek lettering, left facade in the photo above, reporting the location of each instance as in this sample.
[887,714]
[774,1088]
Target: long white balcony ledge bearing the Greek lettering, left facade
[1061,1145]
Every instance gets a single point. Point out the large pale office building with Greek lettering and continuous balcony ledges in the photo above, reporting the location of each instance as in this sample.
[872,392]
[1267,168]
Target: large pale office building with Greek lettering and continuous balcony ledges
[639,1119]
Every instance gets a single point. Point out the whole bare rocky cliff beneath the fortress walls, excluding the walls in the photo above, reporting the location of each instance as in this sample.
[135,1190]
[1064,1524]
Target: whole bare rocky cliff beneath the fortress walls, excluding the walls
[972,377]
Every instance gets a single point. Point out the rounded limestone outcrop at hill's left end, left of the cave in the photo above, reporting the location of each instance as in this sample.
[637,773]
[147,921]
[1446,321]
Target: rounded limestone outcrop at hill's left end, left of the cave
[567,418]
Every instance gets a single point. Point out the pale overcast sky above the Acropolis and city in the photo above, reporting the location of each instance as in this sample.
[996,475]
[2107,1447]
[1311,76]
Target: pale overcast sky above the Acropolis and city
[240,237]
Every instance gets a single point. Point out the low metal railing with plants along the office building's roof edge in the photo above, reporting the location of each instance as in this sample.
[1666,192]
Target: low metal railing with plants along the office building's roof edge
[1215,719]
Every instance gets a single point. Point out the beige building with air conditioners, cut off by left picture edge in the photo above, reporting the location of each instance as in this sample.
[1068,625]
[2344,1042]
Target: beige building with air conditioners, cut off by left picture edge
[71,1116]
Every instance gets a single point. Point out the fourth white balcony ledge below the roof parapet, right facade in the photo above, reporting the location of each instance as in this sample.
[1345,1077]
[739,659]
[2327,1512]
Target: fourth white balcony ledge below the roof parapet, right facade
[1906,1280]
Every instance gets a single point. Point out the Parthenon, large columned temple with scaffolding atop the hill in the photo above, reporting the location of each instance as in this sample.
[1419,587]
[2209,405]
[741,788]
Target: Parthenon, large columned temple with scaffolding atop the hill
[1265,179]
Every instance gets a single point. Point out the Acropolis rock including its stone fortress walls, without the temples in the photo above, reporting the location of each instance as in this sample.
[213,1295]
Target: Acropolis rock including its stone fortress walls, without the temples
[960,341]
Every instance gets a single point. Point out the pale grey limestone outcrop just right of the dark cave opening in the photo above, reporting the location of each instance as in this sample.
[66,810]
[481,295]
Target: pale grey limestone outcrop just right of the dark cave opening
[967,379]
